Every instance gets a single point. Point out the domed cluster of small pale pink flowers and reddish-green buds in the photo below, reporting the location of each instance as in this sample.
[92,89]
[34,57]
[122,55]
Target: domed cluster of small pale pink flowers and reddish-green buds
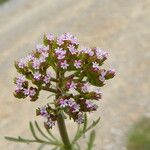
[78,77]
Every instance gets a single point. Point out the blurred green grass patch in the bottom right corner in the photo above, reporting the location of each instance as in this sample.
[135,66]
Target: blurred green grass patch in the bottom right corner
[139,136]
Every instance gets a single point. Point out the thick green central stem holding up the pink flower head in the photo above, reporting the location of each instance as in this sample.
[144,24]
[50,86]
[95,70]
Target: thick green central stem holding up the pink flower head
[60,119]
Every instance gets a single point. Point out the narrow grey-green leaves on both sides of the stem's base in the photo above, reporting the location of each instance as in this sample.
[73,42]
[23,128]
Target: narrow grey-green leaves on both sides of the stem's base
[50,139]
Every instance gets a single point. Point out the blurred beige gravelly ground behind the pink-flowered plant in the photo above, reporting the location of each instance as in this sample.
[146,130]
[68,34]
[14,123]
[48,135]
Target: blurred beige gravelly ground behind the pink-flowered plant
[122,27]
